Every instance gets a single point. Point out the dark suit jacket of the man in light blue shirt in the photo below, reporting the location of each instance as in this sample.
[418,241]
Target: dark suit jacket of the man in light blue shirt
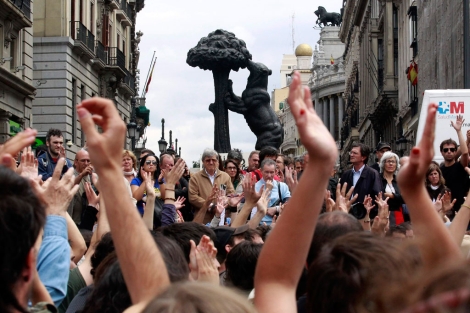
[368,184]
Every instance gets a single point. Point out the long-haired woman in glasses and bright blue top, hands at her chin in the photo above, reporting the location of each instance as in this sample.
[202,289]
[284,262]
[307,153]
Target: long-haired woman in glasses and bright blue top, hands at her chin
[149,170]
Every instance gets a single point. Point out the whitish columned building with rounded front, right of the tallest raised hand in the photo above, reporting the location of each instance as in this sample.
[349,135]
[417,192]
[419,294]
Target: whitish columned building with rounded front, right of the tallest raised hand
[327,81]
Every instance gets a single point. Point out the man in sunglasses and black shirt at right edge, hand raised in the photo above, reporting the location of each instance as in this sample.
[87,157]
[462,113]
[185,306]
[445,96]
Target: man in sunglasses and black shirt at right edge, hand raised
[454,172]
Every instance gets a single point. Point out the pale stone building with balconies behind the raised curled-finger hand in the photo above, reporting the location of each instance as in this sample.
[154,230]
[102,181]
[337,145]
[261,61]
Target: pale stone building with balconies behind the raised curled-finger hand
[84,48]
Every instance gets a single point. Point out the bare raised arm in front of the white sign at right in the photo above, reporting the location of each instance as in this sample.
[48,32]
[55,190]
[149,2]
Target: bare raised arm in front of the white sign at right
[436,246]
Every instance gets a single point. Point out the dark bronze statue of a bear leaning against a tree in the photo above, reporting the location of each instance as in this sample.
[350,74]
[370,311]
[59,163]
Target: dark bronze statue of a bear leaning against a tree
[221,52]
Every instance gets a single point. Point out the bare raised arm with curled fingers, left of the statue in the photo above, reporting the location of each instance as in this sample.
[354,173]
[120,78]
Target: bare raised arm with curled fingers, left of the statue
[141,262]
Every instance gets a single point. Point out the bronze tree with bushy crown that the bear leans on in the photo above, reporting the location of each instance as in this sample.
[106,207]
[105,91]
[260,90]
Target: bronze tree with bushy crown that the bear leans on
[220,52]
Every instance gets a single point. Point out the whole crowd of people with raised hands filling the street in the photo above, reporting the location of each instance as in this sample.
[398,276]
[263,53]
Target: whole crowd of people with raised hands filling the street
[110,232]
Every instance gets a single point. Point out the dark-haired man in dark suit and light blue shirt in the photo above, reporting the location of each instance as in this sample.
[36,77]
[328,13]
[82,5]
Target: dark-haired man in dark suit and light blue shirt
[366,181]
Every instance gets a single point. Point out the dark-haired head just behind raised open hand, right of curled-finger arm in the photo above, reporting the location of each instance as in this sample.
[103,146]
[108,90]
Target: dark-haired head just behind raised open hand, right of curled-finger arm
[183,232]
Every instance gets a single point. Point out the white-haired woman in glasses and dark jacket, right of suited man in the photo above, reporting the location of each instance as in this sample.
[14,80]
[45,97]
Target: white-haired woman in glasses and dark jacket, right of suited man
[389,166]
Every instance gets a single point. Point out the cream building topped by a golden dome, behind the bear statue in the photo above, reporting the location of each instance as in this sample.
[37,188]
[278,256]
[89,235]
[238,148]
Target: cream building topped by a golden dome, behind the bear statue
[292,145]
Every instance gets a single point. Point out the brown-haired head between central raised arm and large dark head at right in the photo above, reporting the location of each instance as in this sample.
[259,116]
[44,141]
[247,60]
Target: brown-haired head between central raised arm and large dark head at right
[330,226]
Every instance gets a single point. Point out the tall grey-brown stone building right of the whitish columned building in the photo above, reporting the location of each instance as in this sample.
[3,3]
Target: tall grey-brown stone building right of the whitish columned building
[378,95]
